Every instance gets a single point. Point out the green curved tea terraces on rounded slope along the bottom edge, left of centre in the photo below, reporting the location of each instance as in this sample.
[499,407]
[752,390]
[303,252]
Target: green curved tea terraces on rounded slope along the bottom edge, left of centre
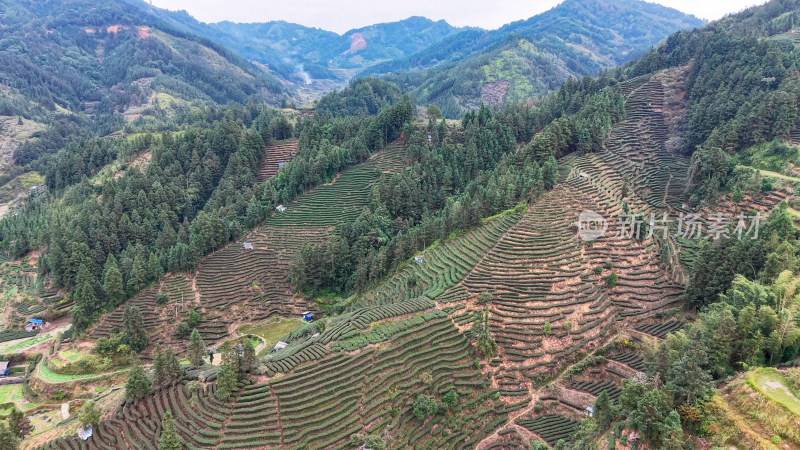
[321,404]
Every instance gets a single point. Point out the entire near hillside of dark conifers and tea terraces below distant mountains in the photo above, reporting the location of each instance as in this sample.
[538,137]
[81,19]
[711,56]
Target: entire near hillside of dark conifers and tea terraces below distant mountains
[456,301]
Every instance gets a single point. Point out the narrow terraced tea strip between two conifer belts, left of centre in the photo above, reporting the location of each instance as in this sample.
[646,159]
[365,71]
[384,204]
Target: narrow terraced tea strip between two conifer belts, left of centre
[234,274]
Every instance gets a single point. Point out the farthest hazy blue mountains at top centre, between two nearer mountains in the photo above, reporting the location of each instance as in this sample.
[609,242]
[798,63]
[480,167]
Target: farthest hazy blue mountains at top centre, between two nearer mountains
[315,60]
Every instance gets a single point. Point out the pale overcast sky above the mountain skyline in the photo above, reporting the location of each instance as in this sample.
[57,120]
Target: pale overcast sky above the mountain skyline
[343,15]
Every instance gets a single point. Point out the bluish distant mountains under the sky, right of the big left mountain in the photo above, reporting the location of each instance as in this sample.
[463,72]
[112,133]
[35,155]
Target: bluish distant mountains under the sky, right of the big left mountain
[453,67]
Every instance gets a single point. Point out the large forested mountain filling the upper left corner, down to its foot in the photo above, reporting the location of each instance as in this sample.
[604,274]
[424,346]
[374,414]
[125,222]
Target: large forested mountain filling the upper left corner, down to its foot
[78,68]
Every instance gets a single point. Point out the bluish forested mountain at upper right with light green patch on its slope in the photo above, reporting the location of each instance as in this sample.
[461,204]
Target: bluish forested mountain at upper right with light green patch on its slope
[575,38]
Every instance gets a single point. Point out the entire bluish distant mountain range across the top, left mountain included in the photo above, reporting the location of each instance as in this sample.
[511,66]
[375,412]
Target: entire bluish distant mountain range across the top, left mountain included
[117,56]
